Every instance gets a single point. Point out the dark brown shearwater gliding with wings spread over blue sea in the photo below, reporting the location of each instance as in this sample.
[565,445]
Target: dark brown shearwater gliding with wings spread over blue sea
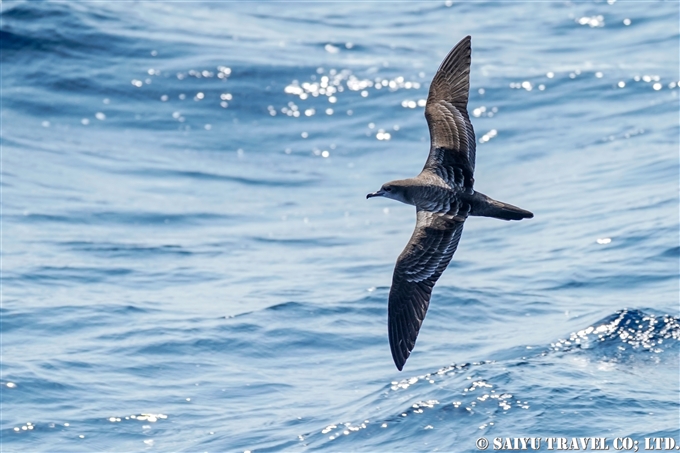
[444,197]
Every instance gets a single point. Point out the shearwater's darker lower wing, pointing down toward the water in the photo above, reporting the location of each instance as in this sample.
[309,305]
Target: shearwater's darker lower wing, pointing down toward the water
[418,268]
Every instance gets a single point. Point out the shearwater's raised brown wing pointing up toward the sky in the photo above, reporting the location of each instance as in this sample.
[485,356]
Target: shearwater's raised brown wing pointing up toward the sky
[452,139]
